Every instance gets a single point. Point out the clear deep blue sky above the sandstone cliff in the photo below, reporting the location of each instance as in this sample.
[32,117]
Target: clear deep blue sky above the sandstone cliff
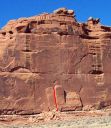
[13,9]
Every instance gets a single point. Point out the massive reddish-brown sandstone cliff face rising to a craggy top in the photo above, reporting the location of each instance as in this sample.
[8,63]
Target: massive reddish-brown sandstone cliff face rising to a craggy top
[52,57]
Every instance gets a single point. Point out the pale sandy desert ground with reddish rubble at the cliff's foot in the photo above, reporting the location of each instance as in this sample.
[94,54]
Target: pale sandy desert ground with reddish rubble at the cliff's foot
[92,119]
